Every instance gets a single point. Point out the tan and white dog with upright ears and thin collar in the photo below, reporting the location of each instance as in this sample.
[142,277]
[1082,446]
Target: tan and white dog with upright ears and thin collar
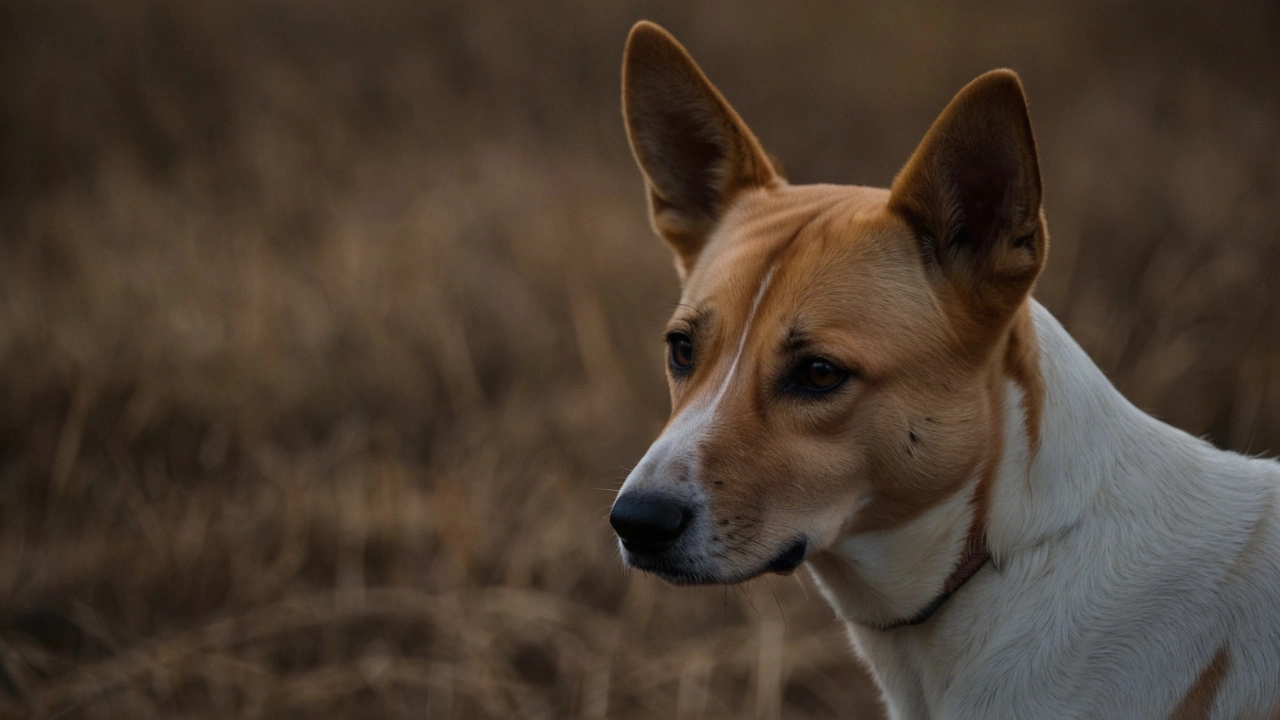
[863,385]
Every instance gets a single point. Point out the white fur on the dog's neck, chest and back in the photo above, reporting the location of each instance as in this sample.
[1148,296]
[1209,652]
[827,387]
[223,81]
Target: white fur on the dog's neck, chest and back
[1118,571]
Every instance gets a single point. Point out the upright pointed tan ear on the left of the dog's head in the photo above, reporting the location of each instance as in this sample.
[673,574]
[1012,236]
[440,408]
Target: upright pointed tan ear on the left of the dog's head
[694,152]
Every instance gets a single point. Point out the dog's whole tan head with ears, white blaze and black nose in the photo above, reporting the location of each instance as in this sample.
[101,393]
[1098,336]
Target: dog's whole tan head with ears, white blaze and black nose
[838,353]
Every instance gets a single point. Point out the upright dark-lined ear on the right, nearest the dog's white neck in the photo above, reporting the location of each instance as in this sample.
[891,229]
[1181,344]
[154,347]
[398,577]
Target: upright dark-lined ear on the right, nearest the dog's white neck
[972,194]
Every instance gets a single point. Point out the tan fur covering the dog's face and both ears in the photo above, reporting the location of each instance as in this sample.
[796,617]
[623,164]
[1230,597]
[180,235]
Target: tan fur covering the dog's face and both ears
[925,413]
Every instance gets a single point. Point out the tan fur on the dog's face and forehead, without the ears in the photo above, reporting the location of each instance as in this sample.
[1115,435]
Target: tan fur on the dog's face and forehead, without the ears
[903,352]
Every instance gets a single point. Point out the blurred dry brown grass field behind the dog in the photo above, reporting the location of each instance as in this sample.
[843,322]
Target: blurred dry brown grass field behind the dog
[330,330]
